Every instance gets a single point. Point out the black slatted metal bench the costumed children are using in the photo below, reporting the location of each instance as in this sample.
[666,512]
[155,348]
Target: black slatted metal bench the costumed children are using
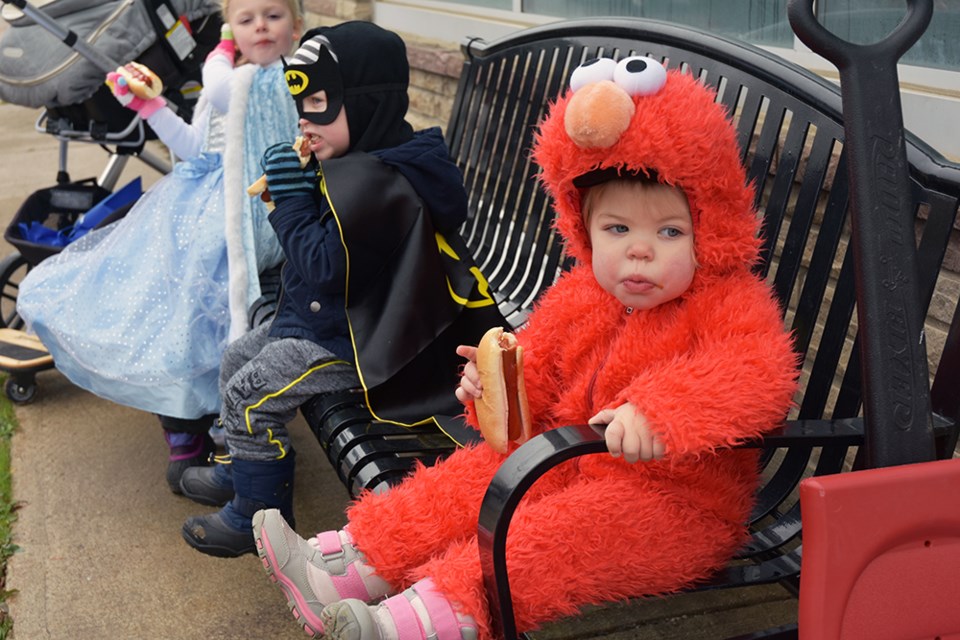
[791,130]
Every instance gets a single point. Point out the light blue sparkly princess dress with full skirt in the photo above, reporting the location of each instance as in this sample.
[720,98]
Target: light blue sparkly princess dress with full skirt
[138,312]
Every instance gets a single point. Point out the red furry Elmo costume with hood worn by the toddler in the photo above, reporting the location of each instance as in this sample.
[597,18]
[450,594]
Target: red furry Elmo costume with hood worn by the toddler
[708,369]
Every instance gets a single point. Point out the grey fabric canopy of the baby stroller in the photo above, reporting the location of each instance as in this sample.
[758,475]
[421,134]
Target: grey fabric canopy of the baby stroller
[38,70]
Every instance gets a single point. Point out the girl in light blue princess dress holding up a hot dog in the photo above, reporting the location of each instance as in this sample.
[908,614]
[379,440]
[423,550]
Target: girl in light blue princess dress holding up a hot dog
[140,312]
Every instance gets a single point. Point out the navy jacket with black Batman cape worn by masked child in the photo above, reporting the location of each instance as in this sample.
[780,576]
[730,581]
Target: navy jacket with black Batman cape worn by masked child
[366,276]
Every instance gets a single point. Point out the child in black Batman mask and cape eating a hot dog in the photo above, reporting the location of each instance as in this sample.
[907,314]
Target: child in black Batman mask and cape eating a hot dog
[377,286]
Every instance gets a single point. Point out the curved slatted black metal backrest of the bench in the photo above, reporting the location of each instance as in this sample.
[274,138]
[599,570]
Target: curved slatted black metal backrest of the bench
[790,129]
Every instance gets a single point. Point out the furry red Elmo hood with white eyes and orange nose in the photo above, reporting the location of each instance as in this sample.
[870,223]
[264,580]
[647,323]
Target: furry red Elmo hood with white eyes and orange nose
[636,117]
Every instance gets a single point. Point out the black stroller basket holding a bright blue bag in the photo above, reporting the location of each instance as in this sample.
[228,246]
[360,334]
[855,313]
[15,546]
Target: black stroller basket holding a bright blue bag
[51,218]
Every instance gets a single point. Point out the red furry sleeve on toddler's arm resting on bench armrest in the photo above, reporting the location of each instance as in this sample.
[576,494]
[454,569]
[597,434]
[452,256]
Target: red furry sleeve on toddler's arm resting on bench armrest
[736,382]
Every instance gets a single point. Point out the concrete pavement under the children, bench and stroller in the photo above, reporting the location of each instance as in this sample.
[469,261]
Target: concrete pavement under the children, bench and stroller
[101,556]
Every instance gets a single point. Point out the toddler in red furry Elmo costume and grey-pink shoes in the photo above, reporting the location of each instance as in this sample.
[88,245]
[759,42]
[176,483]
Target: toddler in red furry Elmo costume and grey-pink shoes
[661,331]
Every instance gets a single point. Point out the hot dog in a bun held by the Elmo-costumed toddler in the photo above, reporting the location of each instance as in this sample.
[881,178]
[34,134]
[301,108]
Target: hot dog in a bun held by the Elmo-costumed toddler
[502,409]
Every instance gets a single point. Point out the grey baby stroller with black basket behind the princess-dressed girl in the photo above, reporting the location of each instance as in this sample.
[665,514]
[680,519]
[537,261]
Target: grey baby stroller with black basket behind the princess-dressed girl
[54,57]
